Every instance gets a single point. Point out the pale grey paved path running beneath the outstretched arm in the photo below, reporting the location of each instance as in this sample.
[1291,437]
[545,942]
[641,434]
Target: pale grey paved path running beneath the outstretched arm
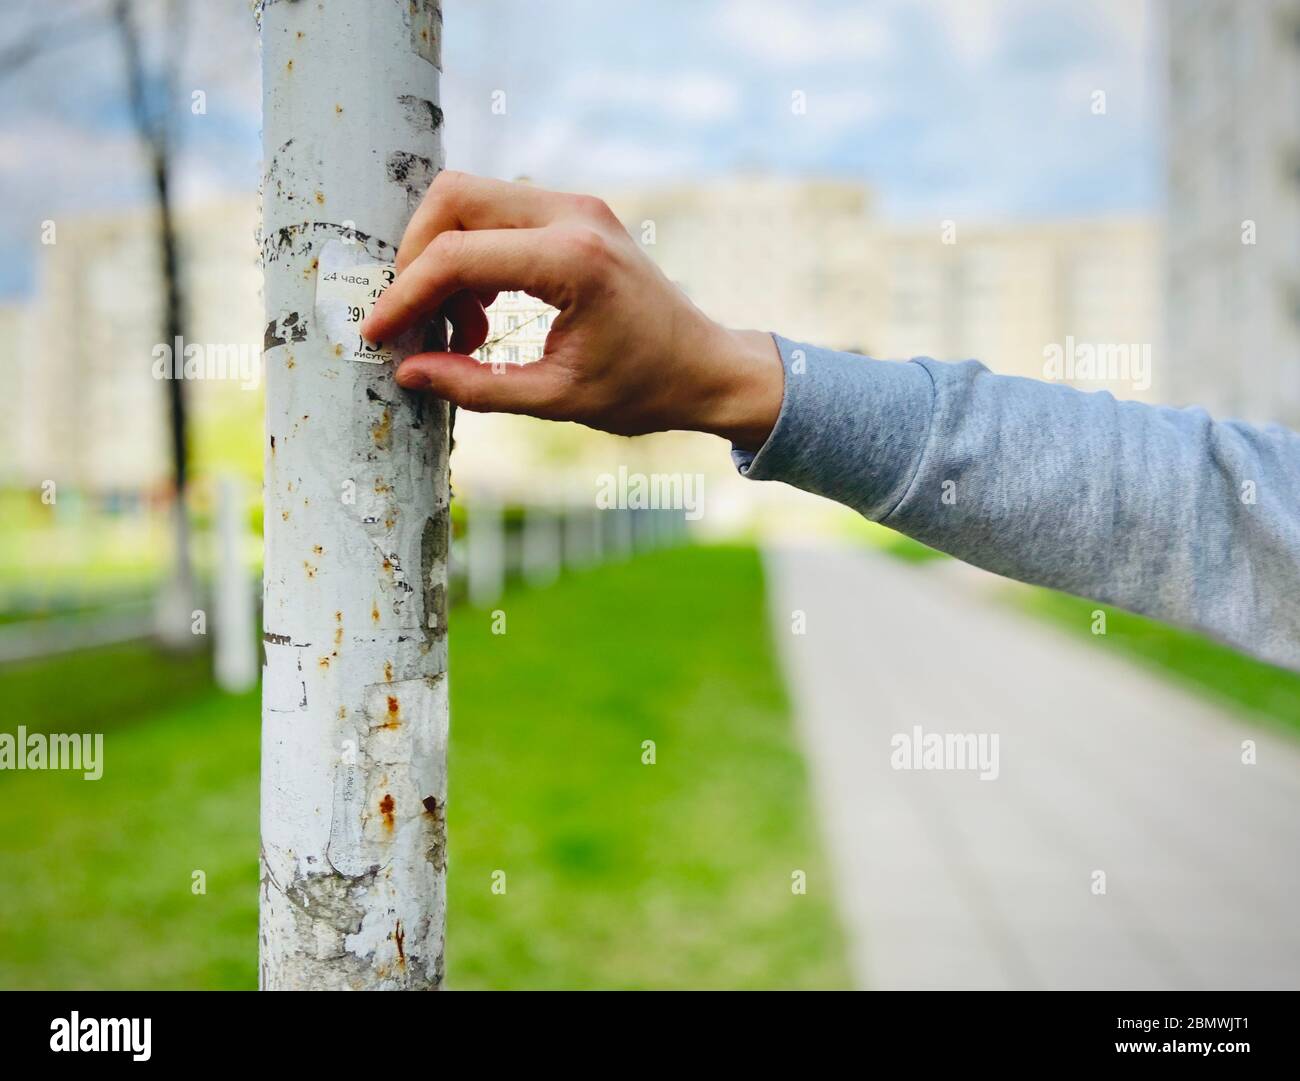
[950,882]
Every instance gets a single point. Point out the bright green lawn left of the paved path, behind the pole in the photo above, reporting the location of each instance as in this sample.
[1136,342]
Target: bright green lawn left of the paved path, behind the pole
[618,875]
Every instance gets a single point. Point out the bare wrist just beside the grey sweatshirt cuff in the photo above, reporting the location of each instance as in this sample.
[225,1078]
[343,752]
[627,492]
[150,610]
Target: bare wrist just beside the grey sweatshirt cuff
[751,388]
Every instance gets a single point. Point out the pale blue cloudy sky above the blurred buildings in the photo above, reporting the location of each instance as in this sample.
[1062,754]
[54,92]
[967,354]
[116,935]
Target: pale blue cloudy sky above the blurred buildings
[948,108]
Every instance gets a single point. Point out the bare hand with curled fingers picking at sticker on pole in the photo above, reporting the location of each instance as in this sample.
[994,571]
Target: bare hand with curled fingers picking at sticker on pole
[629,353]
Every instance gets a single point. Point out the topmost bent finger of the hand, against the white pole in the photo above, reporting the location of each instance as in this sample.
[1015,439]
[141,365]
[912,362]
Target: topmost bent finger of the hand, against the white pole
[461,201]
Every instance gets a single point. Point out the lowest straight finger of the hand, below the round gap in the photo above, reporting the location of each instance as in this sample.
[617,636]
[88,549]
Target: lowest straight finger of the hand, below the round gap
[508,389]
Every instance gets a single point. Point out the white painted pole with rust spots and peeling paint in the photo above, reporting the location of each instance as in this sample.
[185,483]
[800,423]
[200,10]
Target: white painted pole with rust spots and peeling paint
[354,694]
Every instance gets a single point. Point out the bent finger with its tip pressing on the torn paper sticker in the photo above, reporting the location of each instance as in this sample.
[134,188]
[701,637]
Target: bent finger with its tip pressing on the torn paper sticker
[535,261]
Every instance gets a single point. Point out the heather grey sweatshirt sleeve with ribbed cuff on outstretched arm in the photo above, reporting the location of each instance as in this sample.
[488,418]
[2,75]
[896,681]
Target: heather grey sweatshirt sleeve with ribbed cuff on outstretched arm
[1162,511]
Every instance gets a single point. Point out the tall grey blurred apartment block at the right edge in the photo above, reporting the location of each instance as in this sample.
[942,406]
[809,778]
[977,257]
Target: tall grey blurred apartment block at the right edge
[1234,207]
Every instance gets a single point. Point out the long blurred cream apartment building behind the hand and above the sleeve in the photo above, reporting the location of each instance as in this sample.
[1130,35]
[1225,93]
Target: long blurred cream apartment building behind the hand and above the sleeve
[812,262]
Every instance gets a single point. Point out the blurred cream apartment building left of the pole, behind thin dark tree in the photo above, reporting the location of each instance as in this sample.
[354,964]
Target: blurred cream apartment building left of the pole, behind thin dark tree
[93,416]
